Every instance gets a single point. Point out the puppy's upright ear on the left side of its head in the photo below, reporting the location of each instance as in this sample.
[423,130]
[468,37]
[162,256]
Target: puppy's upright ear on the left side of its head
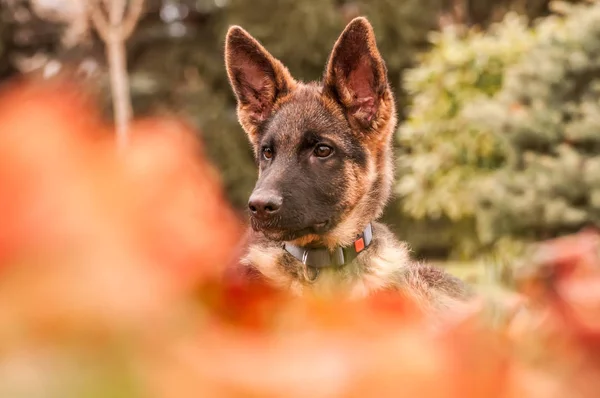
[257,78]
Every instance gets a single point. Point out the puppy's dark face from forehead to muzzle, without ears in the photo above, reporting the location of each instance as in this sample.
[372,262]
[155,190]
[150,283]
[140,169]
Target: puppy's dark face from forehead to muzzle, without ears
[307,160]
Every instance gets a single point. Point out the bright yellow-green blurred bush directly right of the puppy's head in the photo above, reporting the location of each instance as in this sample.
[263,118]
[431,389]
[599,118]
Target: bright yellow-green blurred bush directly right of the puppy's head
[444,154]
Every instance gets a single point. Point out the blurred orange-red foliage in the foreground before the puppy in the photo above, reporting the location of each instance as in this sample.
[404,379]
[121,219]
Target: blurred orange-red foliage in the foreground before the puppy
[110,286]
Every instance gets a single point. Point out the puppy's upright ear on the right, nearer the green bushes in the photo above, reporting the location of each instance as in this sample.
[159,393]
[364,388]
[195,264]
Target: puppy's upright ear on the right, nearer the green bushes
[356,73]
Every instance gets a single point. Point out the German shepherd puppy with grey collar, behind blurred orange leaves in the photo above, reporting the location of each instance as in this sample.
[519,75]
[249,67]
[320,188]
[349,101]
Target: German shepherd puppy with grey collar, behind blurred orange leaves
[324,155]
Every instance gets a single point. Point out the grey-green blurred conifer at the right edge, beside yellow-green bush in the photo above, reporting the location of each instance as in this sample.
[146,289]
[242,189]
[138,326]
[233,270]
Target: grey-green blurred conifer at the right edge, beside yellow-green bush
[548,115]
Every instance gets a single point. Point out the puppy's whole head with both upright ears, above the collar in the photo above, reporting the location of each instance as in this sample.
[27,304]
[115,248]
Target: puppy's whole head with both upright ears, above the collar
[323,149]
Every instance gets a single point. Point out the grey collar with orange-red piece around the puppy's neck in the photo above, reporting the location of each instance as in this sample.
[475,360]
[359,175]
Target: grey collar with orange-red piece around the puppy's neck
[340,256]
